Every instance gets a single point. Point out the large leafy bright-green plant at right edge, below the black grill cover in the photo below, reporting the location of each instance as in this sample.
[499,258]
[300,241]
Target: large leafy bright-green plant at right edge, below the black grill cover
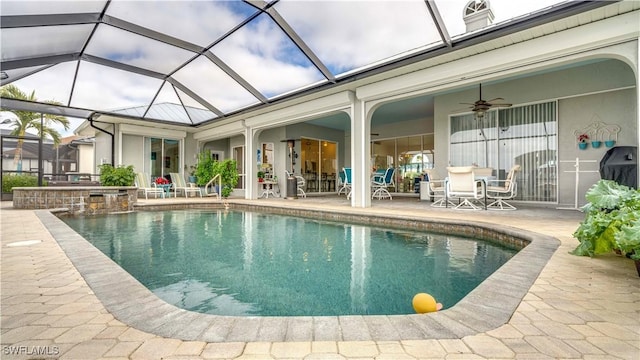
[612,221]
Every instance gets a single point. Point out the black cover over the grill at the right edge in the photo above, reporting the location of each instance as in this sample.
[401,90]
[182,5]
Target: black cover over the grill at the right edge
[620,164]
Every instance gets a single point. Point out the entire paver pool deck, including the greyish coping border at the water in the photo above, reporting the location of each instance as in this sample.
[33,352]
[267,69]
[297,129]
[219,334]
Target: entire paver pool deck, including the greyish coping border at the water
[573,307]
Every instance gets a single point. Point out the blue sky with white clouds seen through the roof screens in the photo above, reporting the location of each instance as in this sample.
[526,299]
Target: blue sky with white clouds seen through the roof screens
[339,32]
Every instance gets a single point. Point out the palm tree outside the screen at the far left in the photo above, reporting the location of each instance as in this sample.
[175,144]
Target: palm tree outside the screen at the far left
[31,120]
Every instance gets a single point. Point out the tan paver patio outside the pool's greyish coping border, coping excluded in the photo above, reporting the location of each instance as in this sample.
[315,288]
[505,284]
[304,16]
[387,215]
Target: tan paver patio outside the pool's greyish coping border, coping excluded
[578,307]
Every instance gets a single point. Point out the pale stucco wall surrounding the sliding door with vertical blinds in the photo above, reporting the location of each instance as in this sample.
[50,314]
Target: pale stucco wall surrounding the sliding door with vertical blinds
[597,88]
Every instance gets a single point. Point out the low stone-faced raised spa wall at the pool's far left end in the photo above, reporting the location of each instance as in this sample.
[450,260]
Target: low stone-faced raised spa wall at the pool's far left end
[78,200]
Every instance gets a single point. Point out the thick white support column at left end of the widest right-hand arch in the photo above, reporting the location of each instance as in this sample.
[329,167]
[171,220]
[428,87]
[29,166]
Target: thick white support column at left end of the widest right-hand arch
[360,156]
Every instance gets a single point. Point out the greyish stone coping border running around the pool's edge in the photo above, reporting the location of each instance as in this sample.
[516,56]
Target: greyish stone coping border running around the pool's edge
[131,300]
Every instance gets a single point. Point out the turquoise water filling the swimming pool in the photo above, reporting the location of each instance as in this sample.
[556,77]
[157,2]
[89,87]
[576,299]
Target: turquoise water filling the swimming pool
[250,263]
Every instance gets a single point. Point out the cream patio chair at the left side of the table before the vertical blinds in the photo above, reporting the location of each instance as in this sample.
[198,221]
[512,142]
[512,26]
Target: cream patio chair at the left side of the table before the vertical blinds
[463,185]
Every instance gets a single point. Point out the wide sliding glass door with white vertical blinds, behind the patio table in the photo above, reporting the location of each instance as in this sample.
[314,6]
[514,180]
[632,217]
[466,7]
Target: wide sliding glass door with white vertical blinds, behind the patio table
[524,135]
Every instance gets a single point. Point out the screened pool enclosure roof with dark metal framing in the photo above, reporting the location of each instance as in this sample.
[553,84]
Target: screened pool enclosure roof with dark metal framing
[196,62]
